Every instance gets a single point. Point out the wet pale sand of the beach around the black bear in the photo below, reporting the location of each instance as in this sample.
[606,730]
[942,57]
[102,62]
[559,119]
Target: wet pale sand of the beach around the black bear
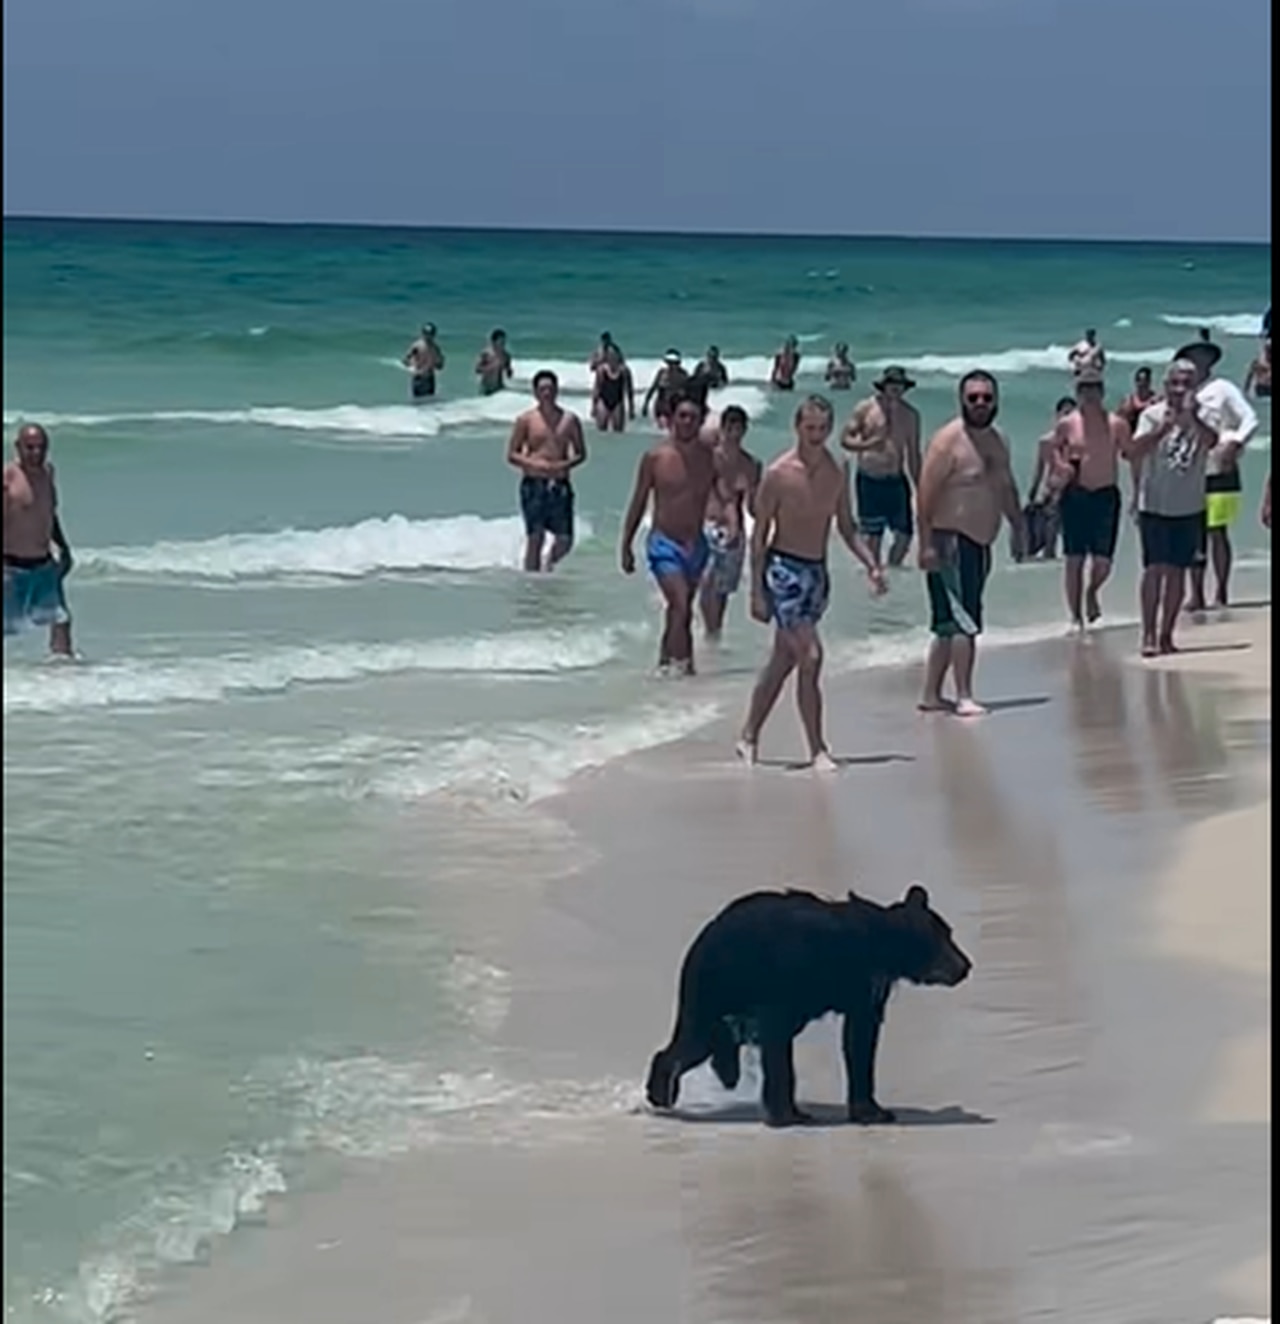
[1085,1126]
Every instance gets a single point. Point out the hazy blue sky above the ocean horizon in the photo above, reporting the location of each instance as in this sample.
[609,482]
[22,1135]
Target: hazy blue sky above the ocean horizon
[1101,118]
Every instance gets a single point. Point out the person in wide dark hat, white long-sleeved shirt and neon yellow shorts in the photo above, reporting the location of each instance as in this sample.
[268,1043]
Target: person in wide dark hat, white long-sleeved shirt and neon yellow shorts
[1228,411]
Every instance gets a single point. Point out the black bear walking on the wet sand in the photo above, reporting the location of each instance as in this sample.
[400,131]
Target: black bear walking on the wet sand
[771,963]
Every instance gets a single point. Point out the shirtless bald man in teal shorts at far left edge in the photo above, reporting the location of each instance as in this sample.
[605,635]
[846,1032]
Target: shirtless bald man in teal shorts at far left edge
[32,577]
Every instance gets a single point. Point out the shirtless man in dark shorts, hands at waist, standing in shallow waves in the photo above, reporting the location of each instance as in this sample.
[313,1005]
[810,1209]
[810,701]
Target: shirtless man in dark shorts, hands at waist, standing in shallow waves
[546,446]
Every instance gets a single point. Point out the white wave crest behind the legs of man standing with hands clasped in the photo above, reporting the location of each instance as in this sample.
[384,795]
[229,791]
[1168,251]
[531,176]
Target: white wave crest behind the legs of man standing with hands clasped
[349,551]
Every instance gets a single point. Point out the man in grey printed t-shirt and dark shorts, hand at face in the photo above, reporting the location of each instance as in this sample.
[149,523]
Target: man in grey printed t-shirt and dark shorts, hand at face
[1175,443]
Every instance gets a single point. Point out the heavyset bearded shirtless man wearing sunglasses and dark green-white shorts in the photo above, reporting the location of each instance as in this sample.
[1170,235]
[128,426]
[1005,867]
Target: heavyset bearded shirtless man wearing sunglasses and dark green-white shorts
[967,487]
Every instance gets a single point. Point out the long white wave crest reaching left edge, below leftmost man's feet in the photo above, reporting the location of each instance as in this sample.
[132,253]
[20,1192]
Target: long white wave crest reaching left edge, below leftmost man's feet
[140,683]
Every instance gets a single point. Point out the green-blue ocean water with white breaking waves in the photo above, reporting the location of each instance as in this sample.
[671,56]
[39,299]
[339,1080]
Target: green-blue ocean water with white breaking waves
[304,628]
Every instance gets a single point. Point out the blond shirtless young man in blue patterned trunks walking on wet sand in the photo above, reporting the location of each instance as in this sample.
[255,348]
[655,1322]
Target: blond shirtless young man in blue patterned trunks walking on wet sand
[801,493]
